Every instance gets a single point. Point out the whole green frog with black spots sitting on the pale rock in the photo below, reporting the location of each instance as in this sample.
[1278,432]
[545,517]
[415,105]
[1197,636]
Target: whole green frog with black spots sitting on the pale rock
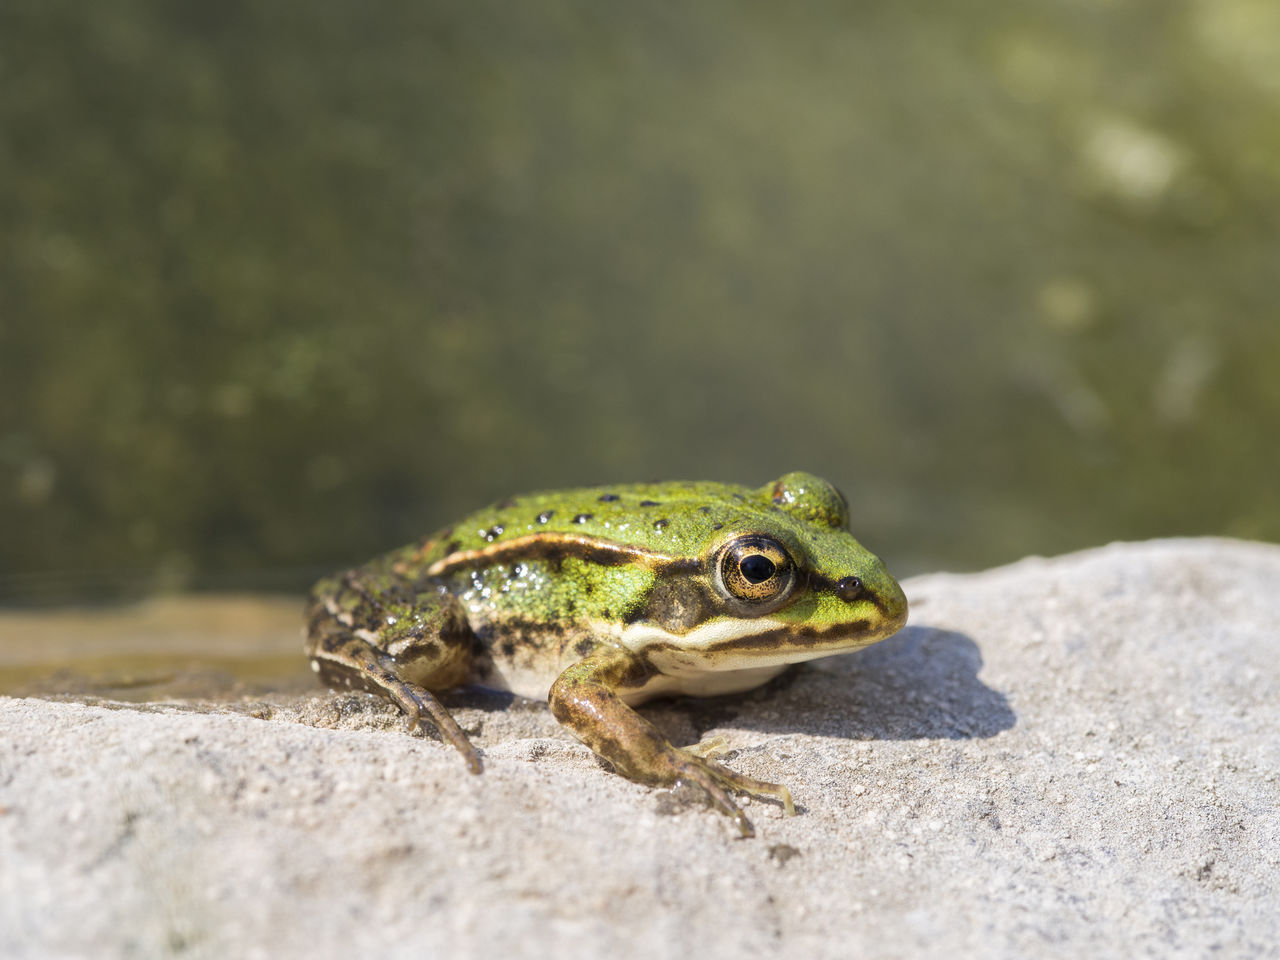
[600,600]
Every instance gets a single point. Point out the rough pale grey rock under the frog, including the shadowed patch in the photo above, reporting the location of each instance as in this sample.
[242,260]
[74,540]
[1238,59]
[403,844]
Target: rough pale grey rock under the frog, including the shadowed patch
[1063,758]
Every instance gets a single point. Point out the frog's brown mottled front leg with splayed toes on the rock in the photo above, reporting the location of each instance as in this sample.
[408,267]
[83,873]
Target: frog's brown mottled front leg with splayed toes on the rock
[587,700]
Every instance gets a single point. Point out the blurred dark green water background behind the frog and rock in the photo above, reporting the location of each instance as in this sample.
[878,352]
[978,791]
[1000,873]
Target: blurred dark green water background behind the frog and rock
[284,286]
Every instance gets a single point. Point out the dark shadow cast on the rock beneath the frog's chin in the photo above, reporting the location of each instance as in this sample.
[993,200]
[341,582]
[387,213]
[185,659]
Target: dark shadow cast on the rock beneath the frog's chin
[918,685]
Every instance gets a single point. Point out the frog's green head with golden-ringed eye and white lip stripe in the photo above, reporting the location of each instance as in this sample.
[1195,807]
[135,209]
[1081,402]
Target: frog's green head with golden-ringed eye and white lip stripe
[781,582]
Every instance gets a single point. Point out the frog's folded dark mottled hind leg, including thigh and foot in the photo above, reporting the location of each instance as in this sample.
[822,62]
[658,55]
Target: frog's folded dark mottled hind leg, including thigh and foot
[355,639]
